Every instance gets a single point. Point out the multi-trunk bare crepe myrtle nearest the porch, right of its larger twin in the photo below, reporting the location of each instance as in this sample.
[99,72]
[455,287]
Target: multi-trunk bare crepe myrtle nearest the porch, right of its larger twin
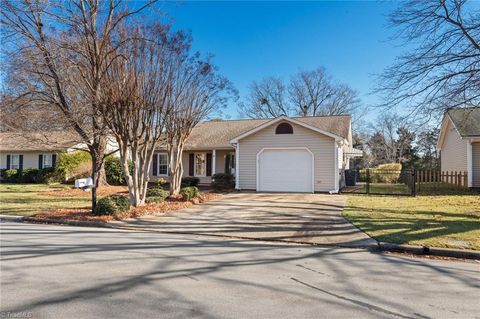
[197,91]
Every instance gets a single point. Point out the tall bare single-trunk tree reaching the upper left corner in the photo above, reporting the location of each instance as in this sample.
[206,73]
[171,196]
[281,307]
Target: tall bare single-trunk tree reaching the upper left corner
[60,53]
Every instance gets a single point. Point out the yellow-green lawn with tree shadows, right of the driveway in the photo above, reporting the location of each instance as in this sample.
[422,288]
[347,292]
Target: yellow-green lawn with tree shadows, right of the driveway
[451,221]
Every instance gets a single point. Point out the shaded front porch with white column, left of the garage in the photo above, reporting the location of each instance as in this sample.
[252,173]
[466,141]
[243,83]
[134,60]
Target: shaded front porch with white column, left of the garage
[201,163]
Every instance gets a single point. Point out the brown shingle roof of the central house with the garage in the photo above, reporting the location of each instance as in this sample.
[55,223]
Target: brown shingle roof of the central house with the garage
[219,133]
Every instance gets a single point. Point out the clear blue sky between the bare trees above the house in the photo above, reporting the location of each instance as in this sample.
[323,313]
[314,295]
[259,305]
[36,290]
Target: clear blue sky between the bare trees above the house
[252,40]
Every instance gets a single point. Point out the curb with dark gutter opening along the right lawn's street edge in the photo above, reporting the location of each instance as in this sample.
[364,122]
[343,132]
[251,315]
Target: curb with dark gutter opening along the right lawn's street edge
[434,251]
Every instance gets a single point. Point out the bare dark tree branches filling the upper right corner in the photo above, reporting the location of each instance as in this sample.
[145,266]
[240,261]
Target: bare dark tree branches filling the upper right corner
[443,69]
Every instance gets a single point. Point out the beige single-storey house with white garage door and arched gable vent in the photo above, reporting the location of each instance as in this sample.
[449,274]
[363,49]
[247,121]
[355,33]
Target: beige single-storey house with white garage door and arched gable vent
[284,154]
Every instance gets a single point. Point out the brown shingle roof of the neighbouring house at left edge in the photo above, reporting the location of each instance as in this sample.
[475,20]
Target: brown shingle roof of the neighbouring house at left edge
[38,141]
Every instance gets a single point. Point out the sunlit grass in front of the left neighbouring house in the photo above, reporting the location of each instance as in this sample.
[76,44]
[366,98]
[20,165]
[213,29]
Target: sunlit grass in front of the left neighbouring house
[25,200]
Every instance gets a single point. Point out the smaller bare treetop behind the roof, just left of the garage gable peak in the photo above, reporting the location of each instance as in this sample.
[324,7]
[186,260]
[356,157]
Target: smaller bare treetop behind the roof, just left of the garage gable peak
[267,99]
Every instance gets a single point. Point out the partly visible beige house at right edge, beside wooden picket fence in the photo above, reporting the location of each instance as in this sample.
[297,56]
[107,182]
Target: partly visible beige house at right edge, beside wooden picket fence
[459,143]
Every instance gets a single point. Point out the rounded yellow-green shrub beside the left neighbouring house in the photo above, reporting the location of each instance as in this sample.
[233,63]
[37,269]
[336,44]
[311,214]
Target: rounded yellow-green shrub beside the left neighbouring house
[73,165]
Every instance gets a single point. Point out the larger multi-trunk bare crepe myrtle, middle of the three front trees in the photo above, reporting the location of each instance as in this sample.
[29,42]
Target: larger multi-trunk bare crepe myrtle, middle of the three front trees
[136,100]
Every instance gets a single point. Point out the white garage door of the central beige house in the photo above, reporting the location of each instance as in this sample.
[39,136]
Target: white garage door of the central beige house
[285,170]
